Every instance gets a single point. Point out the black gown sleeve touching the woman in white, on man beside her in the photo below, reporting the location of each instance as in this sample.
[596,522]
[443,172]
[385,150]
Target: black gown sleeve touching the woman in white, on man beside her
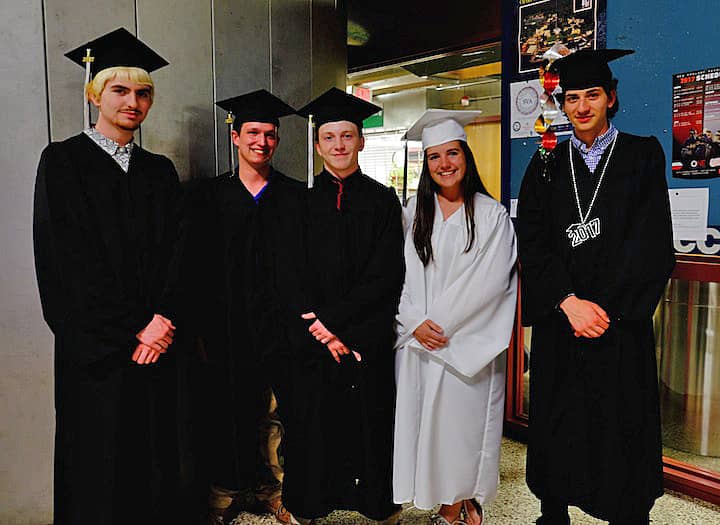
[383,276]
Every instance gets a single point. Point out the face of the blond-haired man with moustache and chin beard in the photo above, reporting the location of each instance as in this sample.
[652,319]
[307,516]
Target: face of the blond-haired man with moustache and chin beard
[122,107]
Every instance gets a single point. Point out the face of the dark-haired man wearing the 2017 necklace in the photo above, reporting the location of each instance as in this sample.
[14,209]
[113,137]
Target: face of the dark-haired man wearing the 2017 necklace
[587,111]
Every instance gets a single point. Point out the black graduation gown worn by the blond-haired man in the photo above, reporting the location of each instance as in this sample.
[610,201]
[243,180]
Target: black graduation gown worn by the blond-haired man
[104,242]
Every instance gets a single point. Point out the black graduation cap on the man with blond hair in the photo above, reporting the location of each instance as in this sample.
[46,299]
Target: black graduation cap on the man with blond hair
[117,48]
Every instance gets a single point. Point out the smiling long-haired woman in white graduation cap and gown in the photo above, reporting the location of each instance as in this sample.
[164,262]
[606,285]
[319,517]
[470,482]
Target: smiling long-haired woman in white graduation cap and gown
[454,323]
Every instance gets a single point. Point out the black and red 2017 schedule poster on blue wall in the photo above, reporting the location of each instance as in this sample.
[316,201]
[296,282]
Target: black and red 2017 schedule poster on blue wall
[696,124]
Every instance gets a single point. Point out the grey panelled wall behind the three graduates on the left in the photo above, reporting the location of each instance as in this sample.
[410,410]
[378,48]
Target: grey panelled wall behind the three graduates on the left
[216,49]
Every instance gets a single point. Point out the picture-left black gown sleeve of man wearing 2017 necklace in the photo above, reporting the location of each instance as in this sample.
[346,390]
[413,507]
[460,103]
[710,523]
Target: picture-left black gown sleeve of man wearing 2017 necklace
[544,279]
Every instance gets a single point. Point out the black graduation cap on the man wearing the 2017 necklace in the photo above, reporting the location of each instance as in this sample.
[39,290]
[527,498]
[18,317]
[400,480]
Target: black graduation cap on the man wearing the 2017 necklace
[587,68]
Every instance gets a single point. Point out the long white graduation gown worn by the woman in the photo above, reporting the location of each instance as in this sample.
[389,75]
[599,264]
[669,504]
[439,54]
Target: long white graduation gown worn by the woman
[449,410]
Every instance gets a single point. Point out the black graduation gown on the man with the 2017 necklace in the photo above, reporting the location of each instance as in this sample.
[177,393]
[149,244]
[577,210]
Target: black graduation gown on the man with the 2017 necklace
[594,438]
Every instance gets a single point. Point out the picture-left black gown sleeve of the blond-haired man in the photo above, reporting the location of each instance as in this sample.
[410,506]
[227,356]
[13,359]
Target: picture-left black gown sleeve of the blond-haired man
[80,297]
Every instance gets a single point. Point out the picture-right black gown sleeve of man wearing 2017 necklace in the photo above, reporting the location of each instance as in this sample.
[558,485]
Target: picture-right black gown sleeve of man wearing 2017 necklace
[646,256]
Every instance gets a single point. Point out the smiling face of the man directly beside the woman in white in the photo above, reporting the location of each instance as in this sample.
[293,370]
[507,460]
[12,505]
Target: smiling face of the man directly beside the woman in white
[339,144]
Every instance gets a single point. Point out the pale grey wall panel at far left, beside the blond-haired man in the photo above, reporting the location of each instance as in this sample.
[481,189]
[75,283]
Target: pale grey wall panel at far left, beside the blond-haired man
[26,381]
